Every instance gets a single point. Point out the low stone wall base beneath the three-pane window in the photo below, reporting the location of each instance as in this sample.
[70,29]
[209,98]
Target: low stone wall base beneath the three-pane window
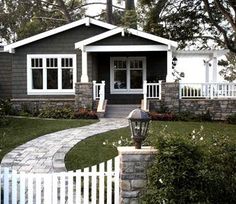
[38,104]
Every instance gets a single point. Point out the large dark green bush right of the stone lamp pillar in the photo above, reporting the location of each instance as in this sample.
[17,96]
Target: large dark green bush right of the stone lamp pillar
[191,170]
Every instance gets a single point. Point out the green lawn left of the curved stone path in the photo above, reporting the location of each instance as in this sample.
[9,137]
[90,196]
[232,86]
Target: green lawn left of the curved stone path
[20,130]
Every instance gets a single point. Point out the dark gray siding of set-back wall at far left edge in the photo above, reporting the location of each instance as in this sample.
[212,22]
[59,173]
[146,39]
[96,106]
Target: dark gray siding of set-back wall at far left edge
[5,75]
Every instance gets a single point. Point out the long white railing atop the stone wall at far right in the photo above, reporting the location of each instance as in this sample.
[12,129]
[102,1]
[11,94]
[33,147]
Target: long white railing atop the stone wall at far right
[207,90]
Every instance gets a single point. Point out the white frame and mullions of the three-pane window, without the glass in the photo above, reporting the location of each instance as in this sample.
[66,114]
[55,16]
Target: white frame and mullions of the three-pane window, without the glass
[46,91]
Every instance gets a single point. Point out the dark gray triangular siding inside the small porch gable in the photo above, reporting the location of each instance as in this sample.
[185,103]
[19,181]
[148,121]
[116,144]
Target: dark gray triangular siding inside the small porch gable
[125,40]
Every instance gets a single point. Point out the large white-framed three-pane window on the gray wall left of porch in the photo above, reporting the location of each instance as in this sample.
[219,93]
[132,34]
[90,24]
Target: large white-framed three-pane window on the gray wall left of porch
[51,74]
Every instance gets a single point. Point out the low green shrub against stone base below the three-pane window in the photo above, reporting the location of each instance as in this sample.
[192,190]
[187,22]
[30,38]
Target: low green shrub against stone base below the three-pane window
[57,113]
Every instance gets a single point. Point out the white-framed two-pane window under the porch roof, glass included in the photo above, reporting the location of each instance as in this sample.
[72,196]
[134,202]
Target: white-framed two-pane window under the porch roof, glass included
[127,74]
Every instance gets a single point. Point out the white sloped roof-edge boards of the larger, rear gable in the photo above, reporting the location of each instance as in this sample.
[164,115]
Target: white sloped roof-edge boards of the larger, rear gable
[86,21]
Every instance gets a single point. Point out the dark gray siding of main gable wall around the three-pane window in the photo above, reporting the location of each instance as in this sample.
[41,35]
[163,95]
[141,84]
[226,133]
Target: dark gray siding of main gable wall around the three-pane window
[62,43]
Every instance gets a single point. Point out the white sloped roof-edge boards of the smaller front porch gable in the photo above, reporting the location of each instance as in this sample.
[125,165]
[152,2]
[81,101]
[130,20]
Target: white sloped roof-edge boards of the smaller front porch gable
[117,30]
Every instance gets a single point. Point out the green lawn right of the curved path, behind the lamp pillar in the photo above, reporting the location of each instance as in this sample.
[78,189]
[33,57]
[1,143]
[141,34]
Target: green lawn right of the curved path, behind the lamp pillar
[92,150]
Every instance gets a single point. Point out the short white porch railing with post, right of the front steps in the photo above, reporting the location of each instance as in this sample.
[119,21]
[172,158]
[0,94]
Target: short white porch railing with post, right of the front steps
[151,91]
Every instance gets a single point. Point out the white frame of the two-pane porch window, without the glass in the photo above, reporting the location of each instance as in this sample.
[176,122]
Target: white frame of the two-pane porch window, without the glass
[128,90]
